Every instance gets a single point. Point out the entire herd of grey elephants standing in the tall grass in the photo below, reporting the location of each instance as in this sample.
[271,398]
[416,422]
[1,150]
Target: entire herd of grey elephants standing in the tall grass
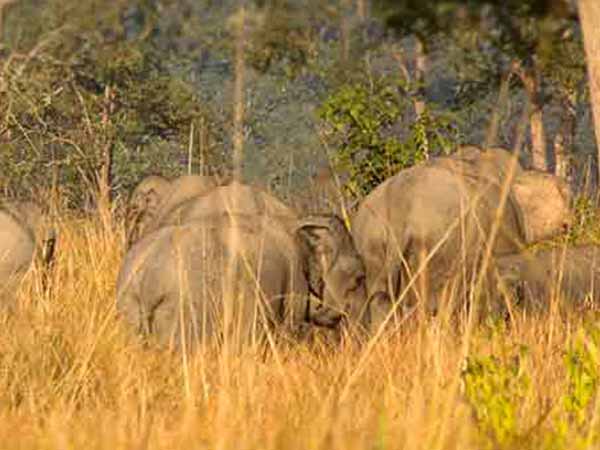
[207,261]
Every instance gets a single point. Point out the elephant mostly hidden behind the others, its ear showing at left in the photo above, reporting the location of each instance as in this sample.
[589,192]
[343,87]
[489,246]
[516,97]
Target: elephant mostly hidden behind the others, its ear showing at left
[155,197]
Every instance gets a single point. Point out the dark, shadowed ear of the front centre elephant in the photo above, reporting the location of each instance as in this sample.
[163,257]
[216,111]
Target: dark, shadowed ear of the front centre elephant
[320,238]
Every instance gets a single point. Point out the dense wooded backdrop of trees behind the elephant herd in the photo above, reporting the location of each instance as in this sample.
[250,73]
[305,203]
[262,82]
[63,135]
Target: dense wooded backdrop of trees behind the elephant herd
[106,92]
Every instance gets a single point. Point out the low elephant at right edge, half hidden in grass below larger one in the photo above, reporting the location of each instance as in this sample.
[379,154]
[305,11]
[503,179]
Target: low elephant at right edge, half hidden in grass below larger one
[532,279]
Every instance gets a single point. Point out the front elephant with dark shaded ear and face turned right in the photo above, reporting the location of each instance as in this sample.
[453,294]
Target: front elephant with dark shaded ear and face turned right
[176,278]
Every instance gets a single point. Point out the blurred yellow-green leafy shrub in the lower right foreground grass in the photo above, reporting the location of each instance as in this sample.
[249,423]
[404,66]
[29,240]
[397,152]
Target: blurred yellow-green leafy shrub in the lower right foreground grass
[496,388]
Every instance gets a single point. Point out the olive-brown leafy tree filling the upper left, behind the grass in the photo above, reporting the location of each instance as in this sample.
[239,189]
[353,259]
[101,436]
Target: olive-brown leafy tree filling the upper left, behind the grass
[56,114]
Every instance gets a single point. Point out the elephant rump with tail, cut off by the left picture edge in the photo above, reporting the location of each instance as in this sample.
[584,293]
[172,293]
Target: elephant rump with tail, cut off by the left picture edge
[21,240]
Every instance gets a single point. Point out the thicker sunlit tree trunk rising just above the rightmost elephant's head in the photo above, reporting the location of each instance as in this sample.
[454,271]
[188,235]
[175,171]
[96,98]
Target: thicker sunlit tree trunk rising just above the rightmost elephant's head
[531,83]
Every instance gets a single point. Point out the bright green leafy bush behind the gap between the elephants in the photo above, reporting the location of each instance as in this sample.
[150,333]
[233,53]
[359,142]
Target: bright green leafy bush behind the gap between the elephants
[361,121]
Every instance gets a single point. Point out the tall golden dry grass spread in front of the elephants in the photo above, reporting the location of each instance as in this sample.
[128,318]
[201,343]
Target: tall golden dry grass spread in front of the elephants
[74,377]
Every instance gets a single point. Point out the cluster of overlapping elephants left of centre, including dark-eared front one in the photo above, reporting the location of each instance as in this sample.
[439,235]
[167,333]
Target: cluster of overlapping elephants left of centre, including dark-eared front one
[235,258]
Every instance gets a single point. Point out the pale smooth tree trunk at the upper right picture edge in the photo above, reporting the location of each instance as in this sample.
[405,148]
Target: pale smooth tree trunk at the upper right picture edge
[589,16]
